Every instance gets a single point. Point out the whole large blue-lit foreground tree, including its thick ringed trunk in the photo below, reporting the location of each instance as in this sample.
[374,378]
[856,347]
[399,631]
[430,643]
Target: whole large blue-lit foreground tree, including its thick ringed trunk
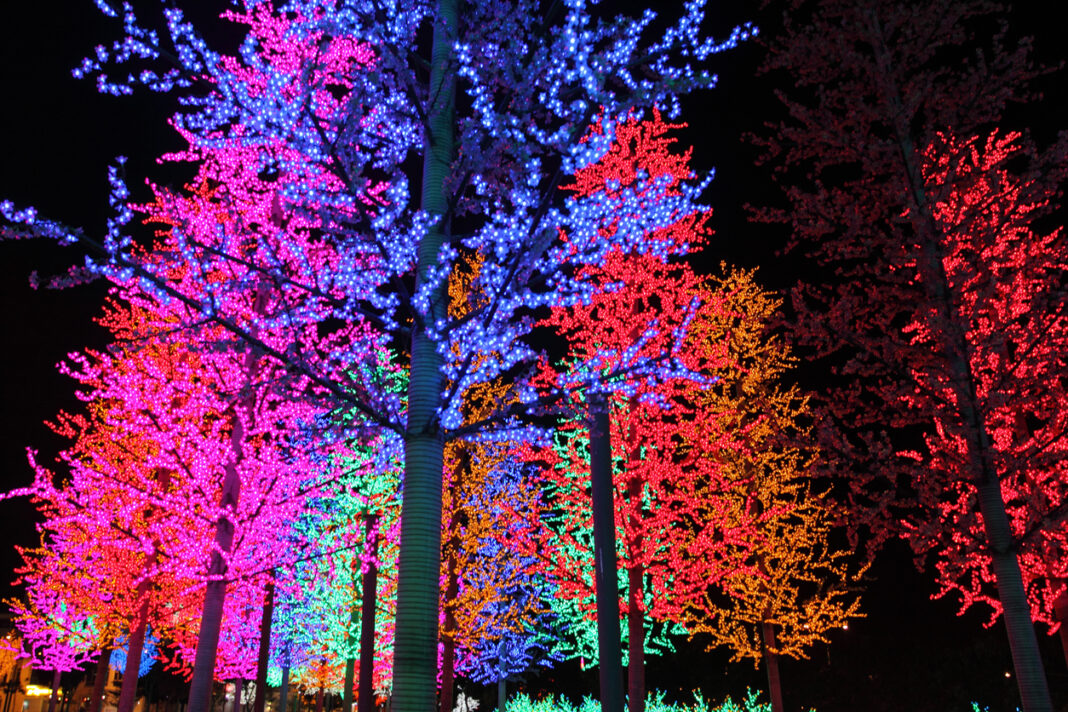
[342,112]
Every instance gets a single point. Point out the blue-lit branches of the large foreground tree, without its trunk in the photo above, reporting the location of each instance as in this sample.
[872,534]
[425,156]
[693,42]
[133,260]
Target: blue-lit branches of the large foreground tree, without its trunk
[325,93]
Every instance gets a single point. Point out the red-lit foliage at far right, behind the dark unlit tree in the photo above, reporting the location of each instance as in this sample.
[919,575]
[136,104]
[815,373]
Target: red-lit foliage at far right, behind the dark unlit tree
[1001,272]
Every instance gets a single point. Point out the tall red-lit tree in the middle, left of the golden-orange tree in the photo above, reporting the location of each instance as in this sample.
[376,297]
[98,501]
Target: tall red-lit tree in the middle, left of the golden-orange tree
[649,420]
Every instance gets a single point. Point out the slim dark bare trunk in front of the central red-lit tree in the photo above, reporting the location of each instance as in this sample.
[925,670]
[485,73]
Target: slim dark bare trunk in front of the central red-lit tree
[610,657]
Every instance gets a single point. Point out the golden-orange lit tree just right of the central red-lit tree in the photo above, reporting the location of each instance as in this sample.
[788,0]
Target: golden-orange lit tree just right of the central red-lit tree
[800,587]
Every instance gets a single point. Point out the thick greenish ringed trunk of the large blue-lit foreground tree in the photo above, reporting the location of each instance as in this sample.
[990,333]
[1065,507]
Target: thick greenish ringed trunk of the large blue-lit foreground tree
[416,642]
